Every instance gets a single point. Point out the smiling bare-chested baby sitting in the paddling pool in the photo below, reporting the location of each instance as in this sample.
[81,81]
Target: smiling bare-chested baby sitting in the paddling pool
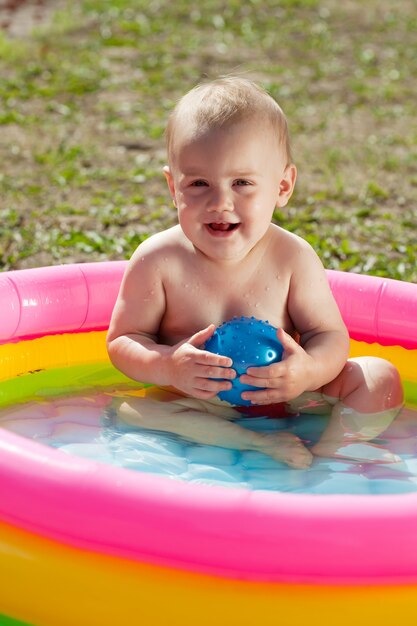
[229,166]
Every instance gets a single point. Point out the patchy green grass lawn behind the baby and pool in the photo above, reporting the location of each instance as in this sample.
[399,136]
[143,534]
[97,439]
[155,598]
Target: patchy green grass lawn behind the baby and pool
[83,106]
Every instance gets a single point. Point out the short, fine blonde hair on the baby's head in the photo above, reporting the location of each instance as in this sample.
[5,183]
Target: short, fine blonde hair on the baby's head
[226,101]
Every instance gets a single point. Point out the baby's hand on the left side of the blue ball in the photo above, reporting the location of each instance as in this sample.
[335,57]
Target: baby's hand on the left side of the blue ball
[193,370]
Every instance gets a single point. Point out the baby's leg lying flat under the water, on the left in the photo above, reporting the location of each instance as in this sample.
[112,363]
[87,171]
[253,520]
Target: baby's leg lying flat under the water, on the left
[197,421]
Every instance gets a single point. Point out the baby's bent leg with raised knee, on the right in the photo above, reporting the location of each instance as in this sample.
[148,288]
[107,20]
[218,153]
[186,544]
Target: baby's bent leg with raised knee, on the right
[367,396]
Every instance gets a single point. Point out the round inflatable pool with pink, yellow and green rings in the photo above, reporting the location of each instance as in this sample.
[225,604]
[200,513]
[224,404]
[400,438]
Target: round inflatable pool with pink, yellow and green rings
[87,543]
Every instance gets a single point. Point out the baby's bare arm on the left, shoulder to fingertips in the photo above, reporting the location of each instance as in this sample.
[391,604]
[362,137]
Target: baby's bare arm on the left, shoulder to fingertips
[132,337]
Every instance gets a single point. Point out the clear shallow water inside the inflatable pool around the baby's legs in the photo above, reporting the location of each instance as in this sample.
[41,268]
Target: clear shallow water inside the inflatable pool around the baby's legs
[79,425]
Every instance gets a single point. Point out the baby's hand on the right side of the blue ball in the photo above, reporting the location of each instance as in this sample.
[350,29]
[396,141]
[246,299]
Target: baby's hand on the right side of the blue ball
[281,381]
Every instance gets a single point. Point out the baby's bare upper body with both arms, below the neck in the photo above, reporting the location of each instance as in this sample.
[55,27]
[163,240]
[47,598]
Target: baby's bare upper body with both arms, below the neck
[172,294]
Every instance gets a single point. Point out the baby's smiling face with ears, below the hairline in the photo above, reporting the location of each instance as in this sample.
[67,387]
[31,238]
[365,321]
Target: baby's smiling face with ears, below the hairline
[225,185]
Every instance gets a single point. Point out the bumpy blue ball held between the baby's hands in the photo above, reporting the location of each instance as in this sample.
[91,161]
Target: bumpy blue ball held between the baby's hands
[249,343]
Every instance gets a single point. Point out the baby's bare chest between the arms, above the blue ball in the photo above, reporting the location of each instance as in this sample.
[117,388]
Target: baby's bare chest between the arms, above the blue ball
[199,292]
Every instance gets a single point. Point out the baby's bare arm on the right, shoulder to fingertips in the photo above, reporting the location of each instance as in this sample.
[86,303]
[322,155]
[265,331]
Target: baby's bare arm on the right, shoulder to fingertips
[324,342]
